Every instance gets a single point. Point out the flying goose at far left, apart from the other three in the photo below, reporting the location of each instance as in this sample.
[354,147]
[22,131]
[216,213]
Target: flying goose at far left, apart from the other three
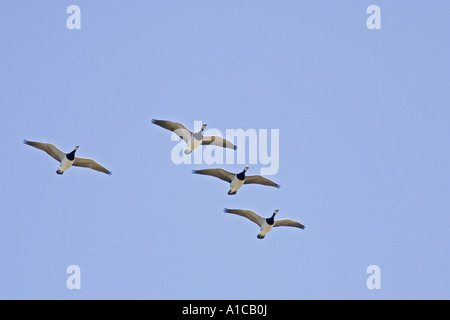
[66,160]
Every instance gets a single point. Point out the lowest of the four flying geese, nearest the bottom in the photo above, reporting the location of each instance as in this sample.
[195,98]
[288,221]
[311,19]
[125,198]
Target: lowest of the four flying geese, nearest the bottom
[265,224]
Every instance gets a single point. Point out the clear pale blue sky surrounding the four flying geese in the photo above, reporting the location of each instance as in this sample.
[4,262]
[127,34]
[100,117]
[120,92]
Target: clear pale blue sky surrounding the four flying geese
[364,149]
